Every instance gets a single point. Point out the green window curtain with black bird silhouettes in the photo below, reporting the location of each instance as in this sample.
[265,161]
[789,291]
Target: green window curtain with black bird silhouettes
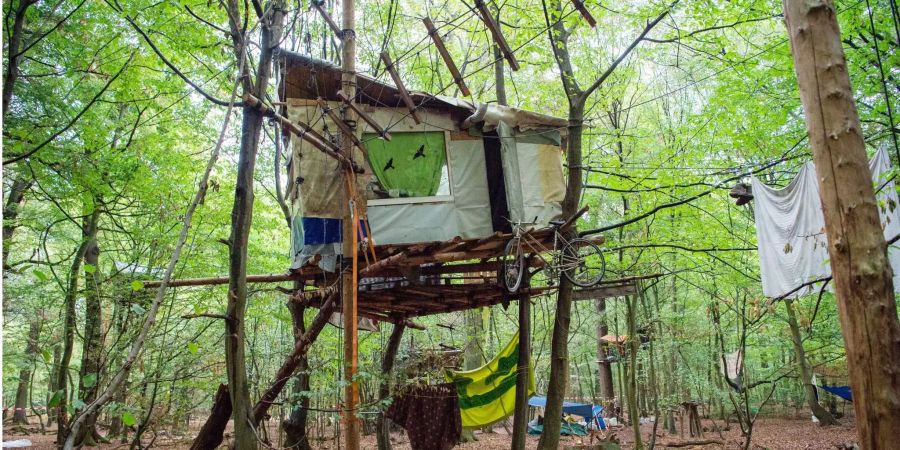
[410,164]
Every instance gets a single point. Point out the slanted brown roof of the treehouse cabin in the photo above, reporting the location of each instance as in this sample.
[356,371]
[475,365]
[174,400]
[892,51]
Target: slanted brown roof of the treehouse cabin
[311,78]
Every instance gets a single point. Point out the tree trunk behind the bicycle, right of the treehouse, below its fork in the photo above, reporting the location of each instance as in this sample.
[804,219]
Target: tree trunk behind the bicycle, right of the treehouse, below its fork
[559,350]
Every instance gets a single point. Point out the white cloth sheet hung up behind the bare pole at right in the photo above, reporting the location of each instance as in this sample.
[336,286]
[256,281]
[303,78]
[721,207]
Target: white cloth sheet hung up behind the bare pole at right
[790,228]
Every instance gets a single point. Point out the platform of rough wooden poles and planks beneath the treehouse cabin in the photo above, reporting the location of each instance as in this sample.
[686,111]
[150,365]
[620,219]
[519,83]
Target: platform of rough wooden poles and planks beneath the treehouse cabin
[422,279]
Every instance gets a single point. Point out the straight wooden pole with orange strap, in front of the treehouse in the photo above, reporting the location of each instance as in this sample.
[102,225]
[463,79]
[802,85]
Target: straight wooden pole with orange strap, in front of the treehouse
[348,274]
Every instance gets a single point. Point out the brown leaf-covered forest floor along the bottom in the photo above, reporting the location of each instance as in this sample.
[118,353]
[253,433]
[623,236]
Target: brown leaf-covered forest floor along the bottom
[770,434]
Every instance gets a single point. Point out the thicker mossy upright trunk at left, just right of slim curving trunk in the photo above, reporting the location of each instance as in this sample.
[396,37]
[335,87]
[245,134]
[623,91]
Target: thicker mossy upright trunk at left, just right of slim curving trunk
[92,350]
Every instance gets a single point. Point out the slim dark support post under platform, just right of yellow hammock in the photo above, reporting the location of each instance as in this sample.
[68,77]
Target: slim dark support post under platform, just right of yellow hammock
[520,417]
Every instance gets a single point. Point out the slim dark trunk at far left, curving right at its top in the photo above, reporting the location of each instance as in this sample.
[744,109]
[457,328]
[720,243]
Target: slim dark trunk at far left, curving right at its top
[88,233]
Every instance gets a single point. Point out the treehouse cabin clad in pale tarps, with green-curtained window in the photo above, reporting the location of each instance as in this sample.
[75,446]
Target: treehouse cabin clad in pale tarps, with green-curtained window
[447,169]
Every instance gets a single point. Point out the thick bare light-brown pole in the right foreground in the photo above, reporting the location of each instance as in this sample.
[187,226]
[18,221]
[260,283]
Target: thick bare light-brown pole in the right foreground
[862,276]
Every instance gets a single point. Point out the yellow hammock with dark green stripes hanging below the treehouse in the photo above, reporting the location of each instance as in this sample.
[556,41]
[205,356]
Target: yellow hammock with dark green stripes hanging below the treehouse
[488,394]
